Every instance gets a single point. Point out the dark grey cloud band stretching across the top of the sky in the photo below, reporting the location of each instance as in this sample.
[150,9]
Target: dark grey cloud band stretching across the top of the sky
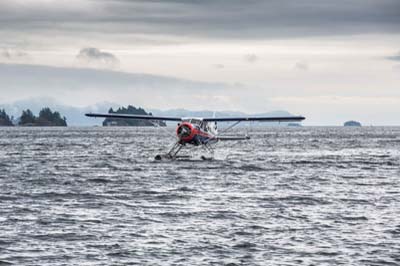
[211,18]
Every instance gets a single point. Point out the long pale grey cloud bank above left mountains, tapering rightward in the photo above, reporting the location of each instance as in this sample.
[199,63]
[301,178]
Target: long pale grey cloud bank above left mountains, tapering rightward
[84,86]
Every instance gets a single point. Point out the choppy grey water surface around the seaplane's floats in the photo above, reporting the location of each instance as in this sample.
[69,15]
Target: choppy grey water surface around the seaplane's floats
[289,196]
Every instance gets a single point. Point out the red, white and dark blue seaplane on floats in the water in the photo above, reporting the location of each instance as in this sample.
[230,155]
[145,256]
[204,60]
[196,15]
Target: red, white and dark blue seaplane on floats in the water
[195,131]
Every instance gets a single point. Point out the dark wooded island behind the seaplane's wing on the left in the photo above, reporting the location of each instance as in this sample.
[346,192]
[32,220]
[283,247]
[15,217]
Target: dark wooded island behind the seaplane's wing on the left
[130,122]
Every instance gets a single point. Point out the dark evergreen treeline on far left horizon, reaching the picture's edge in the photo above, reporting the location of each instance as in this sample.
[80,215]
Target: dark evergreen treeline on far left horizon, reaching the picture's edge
[46,118]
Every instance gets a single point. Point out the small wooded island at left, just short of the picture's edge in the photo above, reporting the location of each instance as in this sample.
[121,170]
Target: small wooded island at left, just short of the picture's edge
[46,118]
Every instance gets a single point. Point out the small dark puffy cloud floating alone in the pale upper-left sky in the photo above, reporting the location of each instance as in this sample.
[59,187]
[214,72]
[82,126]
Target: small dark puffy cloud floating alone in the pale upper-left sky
[94,57]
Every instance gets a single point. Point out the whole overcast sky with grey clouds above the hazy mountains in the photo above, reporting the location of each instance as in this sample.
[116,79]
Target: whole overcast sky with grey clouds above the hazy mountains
[330,61]
